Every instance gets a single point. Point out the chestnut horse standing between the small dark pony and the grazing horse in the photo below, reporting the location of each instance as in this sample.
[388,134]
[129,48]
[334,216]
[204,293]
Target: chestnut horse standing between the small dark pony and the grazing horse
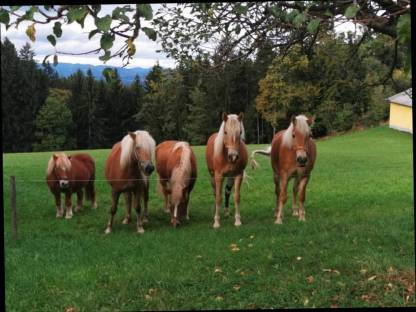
[127,170]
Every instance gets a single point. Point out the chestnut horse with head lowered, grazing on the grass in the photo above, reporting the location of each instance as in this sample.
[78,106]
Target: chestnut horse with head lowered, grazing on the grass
[177,170]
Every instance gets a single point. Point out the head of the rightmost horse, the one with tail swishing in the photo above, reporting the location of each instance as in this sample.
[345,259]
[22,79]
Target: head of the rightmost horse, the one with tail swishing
[300,132]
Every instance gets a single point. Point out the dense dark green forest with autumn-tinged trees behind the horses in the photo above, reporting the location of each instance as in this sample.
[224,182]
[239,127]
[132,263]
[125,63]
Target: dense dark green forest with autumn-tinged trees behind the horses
[42,111]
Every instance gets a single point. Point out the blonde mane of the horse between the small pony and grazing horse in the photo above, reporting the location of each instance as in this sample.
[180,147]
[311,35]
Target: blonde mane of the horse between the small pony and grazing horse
[143,140]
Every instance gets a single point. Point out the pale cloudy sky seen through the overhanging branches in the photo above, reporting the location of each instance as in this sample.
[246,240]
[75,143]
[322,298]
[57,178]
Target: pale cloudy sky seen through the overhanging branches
[75,39]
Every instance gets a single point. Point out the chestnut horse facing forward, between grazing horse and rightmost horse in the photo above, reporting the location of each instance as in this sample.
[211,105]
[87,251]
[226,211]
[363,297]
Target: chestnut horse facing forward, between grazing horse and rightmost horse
[226,157]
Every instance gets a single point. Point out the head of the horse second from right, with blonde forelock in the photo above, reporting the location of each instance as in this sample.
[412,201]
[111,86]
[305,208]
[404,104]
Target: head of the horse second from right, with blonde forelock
[233,132]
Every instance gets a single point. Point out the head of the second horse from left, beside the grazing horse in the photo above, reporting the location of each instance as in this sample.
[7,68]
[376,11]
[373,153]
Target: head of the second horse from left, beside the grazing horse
[143,150]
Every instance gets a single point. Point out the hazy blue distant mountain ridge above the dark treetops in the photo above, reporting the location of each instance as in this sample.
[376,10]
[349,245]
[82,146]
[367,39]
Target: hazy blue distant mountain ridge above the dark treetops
[126,74]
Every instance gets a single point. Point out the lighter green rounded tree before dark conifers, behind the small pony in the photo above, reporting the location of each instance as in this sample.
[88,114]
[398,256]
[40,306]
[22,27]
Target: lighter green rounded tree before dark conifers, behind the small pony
[53,123]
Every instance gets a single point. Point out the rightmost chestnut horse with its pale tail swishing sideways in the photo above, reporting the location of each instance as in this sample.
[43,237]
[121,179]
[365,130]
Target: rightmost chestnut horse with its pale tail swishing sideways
[293,155]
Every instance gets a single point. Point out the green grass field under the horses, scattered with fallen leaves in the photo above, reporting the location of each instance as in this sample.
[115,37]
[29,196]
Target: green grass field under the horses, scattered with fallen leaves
[356,247]
